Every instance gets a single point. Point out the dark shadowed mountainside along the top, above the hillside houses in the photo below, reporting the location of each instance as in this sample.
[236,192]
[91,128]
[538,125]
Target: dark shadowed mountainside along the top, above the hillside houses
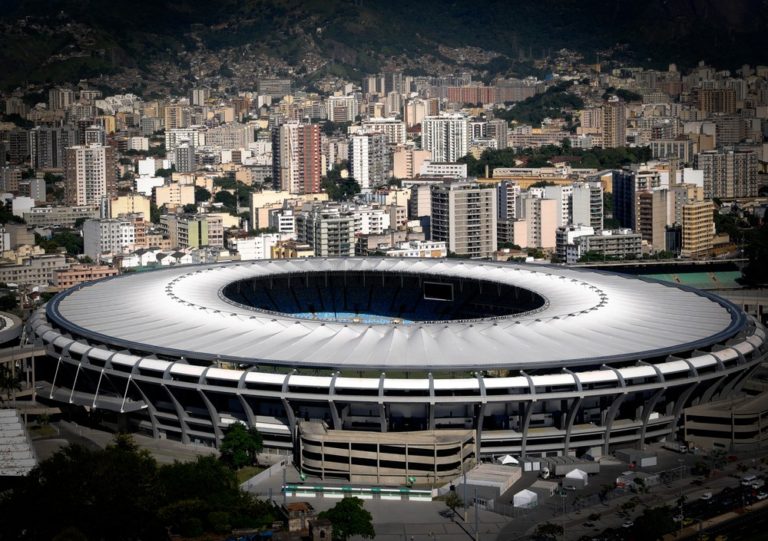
[54,40]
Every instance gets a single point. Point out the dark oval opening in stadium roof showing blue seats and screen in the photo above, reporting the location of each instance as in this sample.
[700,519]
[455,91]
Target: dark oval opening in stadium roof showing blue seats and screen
[376,298]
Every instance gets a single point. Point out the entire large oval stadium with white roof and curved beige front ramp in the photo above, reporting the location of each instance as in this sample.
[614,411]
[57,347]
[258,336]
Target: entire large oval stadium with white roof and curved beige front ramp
[376,368]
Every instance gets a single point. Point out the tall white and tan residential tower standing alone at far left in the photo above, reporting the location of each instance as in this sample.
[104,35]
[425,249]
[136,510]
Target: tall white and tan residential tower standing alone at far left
[90,175]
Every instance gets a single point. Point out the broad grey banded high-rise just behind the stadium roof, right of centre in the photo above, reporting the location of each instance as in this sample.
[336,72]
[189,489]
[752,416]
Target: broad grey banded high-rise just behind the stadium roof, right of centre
[464,217]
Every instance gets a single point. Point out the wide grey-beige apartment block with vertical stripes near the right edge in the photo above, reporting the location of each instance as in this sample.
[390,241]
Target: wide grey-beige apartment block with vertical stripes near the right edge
[728,173]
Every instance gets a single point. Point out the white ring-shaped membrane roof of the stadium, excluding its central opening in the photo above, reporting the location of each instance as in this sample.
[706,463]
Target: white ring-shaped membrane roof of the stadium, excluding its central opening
[590,317]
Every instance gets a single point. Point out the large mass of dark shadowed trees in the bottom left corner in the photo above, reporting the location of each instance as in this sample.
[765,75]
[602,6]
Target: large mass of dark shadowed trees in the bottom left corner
[120,493]
